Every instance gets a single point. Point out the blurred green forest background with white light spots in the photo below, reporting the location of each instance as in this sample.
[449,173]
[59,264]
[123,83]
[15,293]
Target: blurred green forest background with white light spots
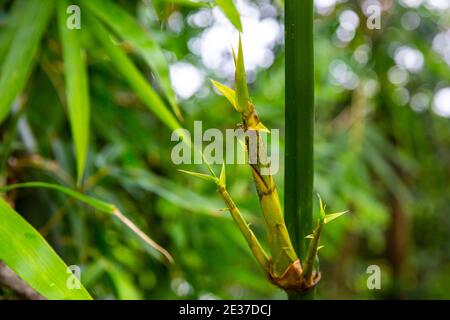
[382,150]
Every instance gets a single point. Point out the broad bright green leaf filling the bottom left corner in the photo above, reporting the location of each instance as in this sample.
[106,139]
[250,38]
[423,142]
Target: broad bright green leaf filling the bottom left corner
[26,252]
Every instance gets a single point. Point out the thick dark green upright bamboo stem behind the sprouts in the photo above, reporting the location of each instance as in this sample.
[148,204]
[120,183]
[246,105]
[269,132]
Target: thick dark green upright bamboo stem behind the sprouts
[299,117]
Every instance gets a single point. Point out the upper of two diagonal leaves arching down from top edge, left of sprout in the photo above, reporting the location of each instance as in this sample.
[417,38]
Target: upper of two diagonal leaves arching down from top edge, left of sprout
[127,28]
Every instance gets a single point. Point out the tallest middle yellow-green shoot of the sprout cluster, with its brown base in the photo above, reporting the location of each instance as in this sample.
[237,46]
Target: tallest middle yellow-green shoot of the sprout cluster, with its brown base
[285,267]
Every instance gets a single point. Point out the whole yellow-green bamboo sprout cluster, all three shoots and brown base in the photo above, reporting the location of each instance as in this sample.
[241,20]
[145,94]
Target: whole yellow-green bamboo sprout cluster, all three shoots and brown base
[284,267]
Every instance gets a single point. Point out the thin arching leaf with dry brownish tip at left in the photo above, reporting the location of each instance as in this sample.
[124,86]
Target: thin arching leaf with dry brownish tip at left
[97,204]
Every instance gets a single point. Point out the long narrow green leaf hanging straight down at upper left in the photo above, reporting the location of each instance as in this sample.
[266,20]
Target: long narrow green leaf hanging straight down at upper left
[77,91]
